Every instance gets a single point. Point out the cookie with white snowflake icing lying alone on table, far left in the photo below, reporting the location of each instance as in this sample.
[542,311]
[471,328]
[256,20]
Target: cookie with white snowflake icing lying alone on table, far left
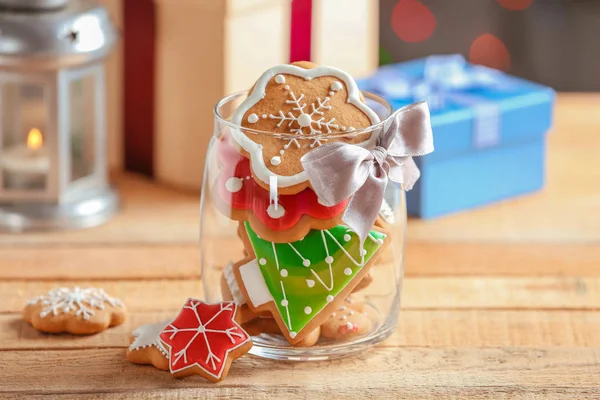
[74,310]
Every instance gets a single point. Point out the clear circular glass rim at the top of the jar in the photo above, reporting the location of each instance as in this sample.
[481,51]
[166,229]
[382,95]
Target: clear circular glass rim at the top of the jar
[368,129]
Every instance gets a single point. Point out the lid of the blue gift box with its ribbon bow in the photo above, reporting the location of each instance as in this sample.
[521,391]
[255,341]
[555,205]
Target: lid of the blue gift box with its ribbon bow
[472,107]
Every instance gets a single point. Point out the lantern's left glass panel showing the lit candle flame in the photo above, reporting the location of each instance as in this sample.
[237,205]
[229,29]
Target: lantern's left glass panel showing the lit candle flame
[24,157]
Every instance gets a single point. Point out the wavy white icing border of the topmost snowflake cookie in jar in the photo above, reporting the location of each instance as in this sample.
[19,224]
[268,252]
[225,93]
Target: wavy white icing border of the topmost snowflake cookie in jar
[255,150]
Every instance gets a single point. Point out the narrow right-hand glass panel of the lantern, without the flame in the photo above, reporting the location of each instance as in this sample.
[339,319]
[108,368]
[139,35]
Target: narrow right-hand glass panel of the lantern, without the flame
[82,126]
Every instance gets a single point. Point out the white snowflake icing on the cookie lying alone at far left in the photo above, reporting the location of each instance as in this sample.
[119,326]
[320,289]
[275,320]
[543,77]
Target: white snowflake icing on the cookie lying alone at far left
[81,301]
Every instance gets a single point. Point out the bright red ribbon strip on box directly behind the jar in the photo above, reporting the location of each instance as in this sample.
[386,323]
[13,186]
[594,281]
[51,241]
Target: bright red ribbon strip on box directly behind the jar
[301,30]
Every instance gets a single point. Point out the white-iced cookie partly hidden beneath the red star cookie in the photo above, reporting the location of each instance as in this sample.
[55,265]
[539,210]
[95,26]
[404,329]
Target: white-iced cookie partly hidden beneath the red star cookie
[146,348]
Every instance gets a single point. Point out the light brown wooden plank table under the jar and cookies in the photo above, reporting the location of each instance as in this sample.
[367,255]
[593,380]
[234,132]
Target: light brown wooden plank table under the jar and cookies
[500,302]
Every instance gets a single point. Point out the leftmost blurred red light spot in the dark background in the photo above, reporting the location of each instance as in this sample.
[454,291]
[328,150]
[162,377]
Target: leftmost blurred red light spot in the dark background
[412,21]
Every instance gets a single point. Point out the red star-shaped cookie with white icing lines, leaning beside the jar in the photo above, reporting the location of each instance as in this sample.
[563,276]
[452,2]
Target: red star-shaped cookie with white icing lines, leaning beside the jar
[204,339]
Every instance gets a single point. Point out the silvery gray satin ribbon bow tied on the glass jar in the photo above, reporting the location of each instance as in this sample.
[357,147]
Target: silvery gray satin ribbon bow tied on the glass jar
[340,170]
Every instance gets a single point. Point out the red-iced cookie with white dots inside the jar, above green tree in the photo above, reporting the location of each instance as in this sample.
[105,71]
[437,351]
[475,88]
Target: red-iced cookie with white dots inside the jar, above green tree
[240,198]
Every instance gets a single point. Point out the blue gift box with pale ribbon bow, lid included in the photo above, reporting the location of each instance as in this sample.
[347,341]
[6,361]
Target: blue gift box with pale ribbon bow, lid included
[489,131]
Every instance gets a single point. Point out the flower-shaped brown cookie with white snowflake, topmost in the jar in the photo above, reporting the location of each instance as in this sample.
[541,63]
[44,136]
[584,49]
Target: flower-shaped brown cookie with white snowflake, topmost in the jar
[309,104]
